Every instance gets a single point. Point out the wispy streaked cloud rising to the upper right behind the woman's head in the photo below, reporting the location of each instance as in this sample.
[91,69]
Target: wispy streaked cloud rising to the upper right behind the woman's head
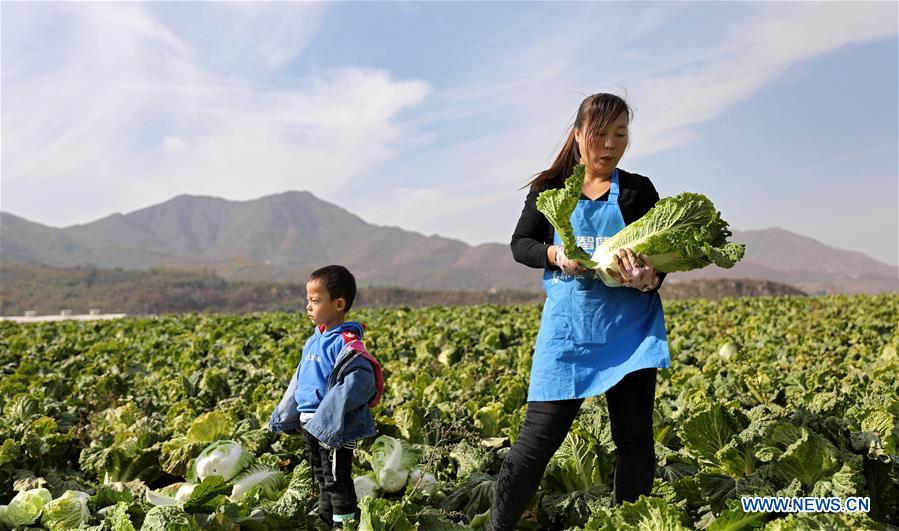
[536,89]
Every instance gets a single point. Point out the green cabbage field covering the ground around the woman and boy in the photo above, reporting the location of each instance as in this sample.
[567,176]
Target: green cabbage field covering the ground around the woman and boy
[126,424]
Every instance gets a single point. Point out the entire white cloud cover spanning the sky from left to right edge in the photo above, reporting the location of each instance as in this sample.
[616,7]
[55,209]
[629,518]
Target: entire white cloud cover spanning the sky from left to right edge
[148,101]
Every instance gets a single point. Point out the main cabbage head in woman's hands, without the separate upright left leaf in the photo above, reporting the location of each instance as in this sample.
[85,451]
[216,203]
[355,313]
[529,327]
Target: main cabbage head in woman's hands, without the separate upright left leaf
[679,233]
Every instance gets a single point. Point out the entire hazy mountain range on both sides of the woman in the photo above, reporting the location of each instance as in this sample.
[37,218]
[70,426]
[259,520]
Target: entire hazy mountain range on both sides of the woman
[285,236]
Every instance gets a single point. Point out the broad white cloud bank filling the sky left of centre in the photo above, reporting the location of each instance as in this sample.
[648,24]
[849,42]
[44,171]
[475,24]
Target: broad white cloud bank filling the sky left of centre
[135,105]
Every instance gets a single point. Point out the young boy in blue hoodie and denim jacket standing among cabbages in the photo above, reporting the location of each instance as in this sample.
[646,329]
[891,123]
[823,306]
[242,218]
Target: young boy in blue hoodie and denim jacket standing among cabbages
[336,382]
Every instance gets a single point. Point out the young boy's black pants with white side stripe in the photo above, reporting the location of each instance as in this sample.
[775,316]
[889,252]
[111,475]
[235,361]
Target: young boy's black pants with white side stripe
[336,495]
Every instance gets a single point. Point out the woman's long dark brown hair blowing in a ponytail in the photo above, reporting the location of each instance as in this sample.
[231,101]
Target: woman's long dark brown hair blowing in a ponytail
[597,112]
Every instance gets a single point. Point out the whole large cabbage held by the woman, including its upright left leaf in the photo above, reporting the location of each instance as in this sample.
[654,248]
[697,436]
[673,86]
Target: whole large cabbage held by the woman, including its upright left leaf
[679,233]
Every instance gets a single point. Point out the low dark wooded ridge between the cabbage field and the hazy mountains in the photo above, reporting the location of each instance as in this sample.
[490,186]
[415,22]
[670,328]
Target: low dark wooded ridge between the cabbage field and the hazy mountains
[48,290]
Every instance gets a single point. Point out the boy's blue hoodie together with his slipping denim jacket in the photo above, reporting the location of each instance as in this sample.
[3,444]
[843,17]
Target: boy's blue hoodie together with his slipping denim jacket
[341,411]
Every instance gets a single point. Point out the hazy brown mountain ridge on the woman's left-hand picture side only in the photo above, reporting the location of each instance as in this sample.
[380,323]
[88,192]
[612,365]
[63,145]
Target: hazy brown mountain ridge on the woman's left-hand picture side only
[275,238]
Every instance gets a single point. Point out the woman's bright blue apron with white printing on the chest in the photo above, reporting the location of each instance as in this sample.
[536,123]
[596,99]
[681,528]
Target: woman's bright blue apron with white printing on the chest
[592,335]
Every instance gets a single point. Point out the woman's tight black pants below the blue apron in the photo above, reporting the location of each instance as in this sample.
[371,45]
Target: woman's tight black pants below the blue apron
[545,426]
